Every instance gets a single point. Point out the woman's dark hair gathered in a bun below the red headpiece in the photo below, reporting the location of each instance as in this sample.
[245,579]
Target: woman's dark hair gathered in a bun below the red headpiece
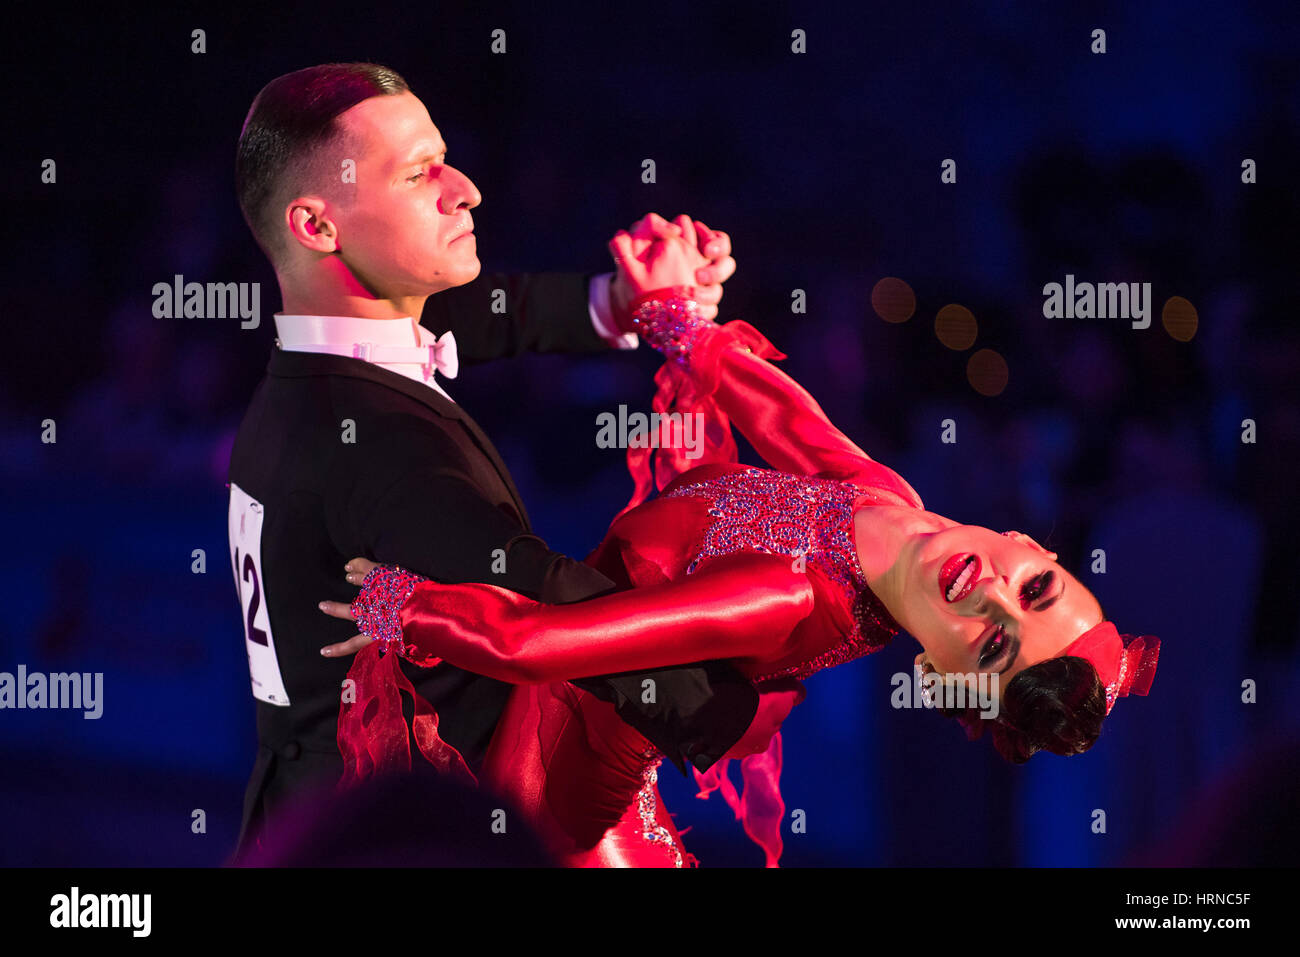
[1056,705]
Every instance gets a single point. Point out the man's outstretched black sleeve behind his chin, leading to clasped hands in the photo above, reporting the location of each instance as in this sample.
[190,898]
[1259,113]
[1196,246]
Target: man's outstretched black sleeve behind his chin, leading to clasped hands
[501,315]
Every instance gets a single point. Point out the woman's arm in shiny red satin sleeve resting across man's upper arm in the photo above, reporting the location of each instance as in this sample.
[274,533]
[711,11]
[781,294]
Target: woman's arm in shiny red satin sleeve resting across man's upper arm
[743,607]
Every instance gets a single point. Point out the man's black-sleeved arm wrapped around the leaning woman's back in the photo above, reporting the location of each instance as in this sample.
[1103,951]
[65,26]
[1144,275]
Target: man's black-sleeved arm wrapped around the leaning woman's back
[428,516]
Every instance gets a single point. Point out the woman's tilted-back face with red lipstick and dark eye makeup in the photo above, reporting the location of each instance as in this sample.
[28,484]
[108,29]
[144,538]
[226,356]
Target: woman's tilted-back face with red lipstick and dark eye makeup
[980,601]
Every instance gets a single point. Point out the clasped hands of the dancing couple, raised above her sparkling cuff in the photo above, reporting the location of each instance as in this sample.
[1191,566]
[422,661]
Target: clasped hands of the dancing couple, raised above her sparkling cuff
[703,261]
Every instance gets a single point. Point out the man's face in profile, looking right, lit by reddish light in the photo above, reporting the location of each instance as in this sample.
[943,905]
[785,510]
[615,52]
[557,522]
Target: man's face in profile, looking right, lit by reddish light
[409,231]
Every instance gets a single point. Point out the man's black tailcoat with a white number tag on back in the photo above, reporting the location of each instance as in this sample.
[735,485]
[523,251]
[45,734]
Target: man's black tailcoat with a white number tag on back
[422,487]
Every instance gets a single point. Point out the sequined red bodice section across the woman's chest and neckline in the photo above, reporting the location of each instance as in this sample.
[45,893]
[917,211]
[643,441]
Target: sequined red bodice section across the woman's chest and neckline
[757,510]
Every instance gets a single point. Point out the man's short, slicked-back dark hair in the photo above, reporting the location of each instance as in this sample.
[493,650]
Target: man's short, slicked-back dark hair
[287,138]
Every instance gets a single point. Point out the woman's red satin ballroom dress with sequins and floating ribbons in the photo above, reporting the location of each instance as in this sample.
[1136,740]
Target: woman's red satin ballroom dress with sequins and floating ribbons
[729,562]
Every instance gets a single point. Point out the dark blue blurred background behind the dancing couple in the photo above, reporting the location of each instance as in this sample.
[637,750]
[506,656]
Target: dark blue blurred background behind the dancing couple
[825,170]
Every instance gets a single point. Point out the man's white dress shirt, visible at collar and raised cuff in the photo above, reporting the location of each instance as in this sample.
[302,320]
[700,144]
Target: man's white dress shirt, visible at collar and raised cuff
[301,334]
